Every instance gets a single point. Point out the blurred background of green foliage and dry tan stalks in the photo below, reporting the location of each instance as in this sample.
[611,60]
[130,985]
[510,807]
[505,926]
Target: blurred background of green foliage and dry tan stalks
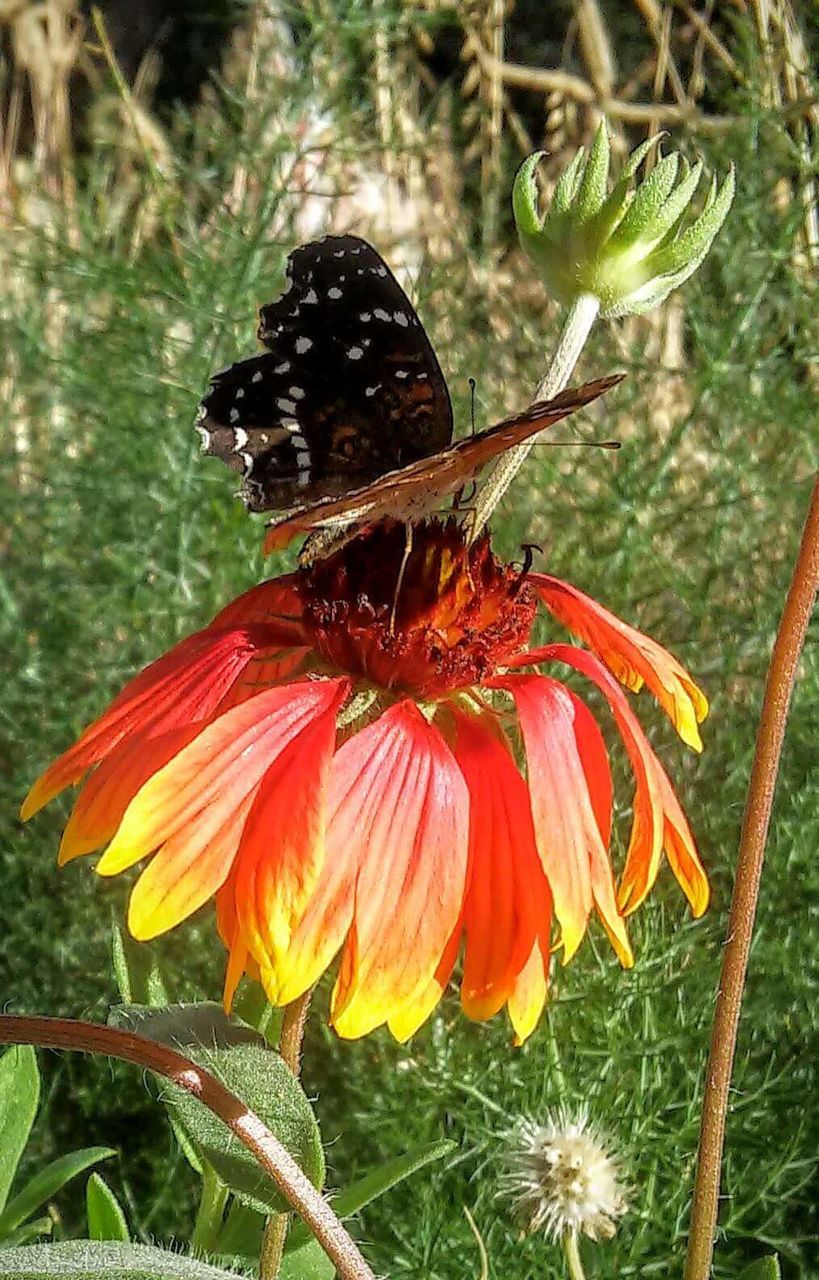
[155,171]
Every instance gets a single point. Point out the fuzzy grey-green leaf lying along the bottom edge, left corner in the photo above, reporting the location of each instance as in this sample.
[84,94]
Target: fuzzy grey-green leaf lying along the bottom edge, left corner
[103,1260]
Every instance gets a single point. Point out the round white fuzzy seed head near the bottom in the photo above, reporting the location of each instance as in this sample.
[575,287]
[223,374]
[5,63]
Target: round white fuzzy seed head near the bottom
[562,1180]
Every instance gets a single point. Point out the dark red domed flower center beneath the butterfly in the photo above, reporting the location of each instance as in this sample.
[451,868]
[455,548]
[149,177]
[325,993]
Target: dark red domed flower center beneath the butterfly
[425,619]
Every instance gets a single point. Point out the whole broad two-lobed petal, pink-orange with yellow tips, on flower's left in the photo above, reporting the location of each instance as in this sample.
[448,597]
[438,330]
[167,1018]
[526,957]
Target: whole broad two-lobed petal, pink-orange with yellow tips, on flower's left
[194,810]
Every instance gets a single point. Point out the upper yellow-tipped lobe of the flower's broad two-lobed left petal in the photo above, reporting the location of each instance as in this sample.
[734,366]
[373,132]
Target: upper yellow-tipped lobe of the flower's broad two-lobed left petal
[208,781]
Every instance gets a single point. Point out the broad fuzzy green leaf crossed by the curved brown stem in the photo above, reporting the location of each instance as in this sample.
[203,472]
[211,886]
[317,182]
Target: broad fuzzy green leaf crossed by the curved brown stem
[269,1089]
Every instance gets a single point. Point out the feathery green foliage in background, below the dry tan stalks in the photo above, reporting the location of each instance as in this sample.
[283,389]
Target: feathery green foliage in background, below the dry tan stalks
[118,540]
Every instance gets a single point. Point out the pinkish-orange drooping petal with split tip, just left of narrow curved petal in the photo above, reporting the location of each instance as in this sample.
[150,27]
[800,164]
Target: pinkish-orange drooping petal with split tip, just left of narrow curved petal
[568,767]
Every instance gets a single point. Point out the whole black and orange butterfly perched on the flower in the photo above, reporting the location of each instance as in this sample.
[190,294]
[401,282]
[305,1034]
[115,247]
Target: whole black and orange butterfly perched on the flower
[346,419]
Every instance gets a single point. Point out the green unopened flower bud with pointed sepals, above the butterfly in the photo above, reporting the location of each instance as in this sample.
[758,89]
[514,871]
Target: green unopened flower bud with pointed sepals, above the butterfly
[629,248]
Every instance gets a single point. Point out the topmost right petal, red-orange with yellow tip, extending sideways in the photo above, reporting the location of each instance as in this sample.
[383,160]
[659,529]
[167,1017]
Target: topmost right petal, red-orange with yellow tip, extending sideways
[630,655]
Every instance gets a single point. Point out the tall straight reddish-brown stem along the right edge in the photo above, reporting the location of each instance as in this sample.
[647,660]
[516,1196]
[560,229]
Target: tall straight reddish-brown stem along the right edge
[770,737]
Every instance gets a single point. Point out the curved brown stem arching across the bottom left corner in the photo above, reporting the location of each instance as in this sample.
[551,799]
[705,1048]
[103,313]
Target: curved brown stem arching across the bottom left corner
[294,1185]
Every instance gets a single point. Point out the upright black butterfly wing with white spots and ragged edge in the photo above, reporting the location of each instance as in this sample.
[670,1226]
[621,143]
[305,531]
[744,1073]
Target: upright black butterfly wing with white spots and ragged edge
[349,391]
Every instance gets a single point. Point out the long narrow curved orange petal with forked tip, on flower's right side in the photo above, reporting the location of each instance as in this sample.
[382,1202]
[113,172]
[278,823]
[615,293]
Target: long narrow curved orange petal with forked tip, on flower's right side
[658,819]
